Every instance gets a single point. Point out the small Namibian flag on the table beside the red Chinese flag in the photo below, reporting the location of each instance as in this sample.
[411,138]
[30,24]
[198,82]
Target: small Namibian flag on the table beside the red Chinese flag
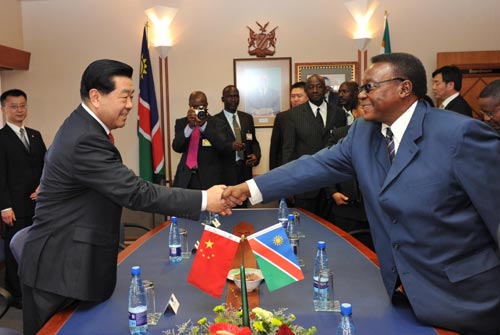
[275,257]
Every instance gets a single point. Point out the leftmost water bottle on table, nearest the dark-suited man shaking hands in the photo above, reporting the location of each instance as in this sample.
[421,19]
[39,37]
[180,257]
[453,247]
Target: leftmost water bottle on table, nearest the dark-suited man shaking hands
[137,304]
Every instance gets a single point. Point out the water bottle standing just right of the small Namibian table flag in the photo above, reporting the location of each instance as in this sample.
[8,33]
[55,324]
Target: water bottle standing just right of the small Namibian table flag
[319,287]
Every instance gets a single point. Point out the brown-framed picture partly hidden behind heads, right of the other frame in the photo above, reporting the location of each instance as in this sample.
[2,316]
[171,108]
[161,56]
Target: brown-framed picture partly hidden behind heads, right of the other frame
[335,73]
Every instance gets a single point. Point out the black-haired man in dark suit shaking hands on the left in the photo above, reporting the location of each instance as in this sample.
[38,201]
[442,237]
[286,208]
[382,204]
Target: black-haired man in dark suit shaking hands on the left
[71,250]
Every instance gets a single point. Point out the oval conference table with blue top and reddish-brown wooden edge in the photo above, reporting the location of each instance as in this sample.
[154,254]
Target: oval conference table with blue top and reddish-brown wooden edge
[356,280]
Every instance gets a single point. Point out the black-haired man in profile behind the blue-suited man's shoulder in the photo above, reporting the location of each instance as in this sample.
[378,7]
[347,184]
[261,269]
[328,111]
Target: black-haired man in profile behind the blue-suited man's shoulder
[446,85]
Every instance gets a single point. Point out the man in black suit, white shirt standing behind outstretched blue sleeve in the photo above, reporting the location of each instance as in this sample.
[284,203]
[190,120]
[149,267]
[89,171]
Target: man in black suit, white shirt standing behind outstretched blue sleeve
[307,131]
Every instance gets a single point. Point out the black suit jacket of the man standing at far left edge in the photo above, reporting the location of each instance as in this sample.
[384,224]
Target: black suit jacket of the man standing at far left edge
[20,170]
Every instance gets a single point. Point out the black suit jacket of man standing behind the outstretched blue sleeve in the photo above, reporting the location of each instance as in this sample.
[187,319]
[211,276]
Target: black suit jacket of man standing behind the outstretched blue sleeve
[304,136]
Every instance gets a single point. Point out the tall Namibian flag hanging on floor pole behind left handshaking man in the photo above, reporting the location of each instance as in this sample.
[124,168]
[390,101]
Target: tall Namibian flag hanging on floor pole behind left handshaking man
[151,158]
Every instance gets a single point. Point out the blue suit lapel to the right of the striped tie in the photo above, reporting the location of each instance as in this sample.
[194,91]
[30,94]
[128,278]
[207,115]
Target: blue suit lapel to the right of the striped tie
[408,148]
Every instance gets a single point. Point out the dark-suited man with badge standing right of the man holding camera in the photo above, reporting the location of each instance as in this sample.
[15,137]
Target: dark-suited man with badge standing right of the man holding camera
[239,130]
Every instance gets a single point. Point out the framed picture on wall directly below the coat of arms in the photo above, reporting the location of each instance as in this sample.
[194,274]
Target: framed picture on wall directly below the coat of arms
[264,85]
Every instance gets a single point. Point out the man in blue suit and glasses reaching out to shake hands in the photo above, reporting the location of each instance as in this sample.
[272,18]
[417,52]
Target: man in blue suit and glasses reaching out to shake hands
[433,209]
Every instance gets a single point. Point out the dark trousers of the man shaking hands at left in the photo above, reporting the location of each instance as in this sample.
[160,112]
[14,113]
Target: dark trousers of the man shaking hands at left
[39,306]
